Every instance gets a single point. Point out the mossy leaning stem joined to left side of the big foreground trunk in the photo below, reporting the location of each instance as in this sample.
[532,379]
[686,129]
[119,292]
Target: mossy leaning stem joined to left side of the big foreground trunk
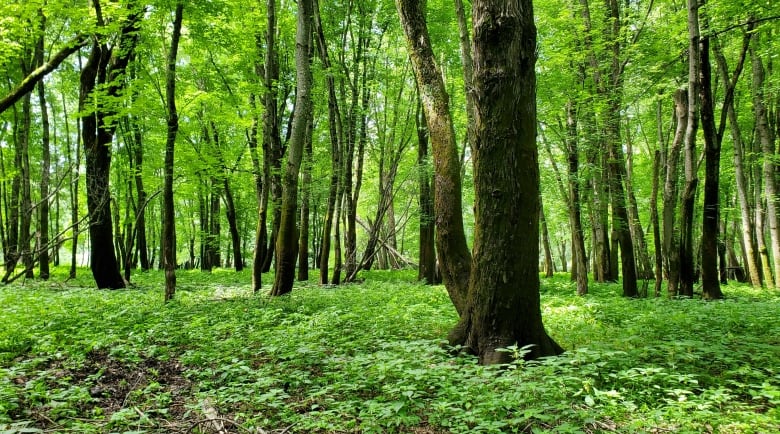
[452,250]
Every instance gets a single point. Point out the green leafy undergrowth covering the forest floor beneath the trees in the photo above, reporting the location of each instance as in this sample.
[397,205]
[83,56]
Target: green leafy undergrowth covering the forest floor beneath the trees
[369,357]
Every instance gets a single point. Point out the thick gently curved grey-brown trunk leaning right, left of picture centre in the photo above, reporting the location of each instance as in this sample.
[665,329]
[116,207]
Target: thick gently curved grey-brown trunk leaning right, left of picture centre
[287,238]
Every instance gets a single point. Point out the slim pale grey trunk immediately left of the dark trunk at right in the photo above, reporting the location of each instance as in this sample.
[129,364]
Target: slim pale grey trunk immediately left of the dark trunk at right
[687,254]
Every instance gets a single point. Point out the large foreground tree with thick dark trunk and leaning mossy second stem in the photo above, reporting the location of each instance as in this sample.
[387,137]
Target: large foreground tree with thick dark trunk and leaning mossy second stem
[502,296]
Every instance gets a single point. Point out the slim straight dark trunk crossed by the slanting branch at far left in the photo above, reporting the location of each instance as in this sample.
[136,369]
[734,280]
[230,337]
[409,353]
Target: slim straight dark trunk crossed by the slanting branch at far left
[43,217]
